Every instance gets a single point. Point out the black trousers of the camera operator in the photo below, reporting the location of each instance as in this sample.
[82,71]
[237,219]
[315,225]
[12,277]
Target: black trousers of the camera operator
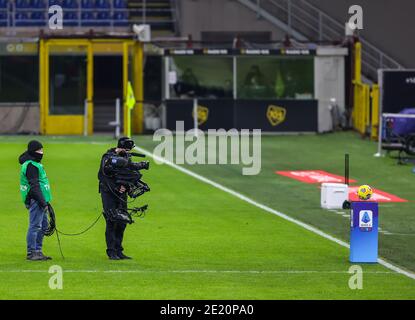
[114,232]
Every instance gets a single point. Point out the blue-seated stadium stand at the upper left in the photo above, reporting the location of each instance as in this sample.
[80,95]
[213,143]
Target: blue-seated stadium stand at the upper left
[87,13]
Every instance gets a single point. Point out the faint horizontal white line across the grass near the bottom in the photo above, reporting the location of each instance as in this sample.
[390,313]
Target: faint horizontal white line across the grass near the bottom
[202,271]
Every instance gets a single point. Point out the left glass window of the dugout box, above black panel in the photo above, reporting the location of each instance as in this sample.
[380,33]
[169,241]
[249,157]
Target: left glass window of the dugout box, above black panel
[201,76]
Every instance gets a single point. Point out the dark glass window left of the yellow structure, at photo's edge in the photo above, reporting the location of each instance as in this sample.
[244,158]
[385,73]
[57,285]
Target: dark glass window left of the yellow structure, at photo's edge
[19,78]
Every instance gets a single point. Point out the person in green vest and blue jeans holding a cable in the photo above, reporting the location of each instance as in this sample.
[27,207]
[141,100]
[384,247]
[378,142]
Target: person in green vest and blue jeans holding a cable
[35,192]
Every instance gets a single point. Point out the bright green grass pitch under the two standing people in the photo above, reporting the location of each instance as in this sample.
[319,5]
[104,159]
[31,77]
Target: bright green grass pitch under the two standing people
[198,242]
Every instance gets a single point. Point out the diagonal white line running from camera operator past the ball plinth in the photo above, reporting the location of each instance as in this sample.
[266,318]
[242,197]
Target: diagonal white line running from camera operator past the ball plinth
[268,209]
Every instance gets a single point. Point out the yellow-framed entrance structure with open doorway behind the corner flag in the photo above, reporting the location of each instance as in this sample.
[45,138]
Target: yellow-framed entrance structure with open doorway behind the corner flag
[60,122]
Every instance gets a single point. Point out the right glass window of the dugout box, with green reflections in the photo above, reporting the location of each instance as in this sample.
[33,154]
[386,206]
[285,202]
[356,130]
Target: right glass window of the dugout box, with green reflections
[275,77]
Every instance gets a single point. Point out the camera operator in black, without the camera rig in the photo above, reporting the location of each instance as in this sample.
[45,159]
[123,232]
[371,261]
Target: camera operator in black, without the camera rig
[114,196]
